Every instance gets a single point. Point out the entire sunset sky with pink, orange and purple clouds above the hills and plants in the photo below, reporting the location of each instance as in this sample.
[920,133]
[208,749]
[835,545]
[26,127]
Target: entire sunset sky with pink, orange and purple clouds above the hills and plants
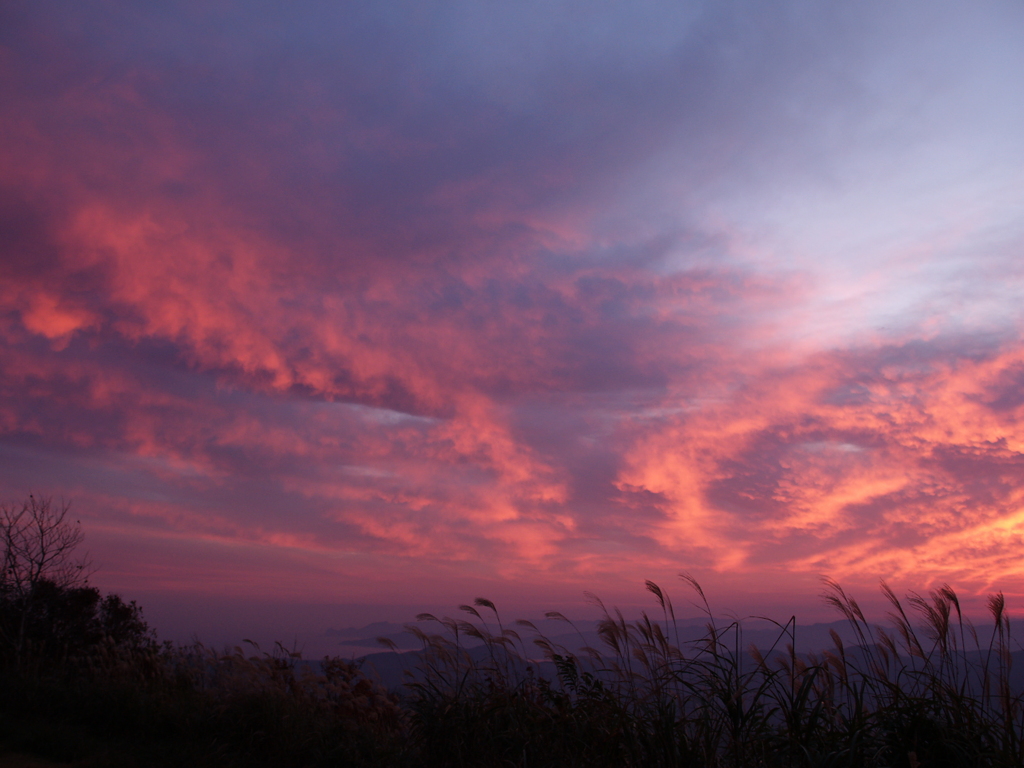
[381,306]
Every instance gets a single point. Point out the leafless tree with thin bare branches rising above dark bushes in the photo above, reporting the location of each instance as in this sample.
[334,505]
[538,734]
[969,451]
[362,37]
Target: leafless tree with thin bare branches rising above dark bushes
[39,542]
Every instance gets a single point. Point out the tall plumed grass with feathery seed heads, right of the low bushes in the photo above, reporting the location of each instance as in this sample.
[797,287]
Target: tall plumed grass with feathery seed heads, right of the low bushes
[930,690]
